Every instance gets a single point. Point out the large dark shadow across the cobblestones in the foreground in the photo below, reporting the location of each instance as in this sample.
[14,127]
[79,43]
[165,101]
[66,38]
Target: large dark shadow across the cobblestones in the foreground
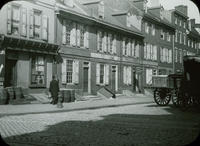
[114,130]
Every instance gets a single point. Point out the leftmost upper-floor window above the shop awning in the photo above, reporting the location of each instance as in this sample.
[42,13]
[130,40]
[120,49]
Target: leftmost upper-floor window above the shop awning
[13,17]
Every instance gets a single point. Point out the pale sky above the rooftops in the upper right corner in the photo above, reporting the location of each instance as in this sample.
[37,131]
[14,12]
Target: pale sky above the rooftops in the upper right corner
[193,12]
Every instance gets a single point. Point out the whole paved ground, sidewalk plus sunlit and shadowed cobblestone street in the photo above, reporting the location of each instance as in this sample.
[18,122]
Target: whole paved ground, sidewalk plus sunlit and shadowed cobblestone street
[129,121]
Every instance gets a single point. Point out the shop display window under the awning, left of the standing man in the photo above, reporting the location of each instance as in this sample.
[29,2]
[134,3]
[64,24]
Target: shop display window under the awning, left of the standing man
[38,70]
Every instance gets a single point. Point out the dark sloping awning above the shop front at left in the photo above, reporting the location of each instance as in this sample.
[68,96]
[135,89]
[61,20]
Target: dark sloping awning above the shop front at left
[27,45]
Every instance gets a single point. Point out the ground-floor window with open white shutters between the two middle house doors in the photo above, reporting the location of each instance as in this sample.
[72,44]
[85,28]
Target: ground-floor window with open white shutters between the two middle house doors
[102,74]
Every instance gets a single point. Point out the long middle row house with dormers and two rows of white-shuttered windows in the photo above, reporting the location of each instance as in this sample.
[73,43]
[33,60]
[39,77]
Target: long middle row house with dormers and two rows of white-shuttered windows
[97,49]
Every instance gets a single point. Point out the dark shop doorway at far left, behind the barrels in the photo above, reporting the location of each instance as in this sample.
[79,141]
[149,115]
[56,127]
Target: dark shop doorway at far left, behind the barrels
[10,73]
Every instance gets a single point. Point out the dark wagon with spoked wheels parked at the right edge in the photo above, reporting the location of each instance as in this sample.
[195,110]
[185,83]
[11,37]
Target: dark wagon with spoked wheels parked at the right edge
[183,89]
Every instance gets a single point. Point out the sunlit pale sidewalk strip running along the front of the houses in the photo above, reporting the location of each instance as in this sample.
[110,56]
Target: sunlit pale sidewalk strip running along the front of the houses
[79,105]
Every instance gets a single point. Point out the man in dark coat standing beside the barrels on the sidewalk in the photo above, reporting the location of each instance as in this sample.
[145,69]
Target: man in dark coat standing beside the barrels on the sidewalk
[54,89]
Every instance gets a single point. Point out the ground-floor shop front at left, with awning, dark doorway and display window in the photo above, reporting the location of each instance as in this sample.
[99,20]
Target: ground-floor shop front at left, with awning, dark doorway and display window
[28,63]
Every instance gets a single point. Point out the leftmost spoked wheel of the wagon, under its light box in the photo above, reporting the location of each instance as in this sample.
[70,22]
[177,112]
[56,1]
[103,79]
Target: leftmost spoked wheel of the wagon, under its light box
[162,96]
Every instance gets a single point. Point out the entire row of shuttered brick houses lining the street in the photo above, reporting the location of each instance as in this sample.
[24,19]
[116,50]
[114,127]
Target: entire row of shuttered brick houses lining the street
[90,44]
